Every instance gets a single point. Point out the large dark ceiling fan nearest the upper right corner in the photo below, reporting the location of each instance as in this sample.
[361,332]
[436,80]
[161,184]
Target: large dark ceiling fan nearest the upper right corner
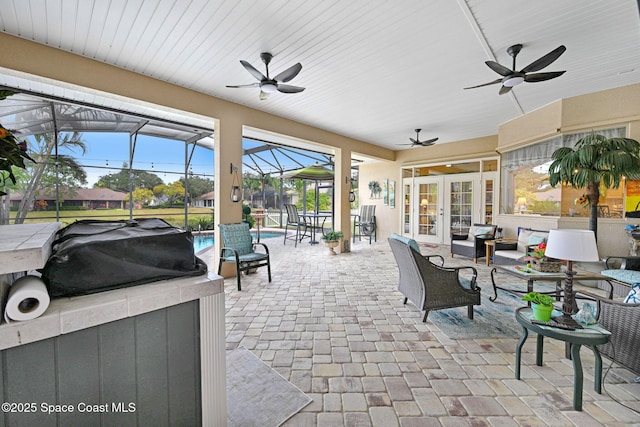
[528,74]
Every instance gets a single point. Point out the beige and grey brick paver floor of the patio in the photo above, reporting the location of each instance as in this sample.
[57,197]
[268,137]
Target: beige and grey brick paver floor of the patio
[337,329]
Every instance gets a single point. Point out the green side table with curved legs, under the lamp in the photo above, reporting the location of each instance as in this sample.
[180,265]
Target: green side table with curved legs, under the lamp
[590,336]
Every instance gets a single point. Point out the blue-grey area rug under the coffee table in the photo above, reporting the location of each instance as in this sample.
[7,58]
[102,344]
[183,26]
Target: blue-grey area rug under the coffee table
[490,319]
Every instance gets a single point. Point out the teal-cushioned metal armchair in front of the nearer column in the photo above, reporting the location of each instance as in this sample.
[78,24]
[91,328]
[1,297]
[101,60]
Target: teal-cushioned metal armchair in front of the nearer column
[238,247]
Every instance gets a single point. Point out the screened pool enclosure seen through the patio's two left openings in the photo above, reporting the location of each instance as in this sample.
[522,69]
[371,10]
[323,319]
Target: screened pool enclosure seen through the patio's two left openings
[99,157]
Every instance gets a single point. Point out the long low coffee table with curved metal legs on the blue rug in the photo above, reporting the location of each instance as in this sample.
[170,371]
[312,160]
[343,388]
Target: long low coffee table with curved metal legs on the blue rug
[531,276]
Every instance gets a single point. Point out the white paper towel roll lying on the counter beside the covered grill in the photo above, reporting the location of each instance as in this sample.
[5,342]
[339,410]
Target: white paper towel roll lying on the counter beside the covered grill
[28,299]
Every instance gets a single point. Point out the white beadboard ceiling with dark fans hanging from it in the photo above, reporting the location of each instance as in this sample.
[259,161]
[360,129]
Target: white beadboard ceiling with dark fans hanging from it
[373,70]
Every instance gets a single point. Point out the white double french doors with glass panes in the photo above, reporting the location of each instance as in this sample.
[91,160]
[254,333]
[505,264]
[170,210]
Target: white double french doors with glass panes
[442,204]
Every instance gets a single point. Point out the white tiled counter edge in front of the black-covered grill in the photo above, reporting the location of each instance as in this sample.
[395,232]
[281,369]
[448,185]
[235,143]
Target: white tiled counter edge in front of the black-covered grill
[67,315]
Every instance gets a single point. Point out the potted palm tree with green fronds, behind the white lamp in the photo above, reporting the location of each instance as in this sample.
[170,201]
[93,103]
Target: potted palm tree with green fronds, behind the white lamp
[596,159]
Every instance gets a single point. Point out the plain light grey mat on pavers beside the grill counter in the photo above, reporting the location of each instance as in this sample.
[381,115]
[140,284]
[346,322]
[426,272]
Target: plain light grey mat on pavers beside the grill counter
[257,395]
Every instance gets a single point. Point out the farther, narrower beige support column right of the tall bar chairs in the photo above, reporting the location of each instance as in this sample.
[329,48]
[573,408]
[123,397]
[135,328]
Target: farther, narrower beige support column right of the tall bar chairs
[342,186]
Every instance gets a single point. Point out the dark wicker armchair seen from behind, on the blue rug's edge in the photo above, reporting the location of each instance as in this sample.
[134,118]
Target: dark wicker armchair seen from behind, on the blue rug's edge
[429,286]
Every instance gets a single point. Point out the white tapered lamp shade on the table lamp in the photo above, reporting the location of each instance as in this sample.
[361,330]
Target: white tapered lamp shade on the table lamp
[572,245]
